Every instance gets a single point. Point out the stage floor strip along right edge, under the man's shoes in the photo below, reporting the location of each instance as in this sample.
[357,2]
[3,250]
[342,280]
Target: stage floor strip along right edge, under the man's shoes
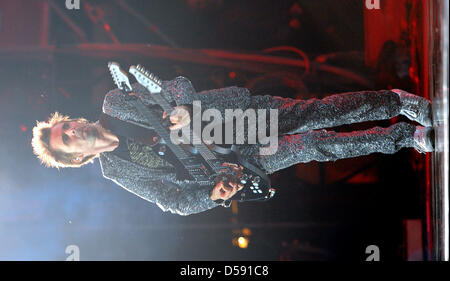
[437,226]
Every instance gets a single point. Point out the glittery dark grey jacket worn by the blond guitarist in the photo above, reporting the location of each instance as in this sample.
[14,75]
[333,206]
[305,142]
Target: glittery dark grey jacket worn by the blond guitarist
[155,185]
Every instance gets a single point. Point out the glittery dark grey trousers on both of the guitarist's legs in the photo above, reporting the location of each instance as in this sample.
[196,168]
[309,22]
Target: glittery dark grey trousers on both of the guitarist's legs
[301,123]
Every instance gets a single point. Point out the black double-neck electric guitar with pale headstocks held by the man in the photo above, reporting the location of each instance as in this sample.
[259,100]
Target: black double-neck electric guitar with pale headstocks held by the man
[201,162]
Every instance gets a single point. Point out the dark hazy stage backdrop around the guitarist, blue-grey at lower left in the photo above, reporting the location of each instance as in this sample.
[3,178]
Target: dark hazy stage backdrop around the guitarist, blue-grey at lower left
[322,211]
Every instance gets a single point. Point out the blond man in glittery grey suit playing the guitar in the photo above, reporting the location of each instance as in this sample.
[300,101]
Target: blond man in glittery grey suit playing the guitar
[65,142]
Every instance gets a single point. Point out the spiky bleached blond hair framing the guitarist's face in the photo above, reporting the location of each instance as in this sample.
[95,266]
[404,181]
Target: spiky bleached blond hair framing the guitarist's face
[41,144]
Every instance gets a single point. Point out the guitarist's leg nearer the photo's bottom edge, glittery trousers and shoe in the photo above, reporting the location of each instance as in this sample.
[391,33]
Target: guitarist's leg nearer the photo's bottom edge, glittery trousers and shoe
[323,145]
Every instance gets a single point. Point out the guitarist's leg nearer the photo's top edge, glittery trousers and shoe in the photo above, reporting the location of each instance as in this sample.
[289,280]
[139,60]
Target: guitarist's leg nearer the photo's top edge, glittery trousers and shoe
[298,116]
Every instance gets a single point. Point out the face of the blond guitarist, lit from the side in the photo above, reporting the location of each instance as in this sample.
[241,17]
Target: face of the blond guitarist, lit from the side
[74,137]
